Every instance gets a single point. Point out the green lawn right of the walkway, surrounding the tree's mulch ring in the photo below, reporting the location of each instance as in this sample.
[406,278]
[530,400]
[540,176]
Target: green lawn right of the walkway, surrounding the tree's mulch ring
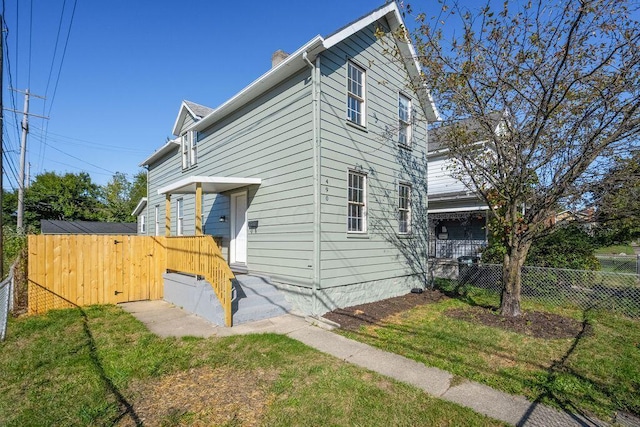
[599,373]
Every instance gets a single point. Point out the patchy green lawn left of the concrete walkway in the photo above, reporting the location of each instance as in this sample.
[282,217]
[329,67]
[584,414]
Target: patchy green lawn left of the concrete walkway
[78,368]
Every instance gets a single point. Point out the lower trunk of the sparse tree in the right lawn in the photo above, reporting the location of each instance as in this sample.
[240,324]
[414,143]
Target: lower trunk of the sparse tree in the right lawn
[512,279]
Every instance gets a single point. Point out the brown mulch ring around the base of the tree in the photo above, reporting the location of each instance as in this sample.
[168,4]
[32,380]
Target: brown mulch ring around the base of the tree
[533,323]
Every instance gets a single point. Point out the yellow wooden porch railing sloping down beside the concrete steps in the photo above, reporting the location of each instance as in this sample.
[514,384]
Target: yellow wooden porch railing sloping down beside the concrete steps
[201,255]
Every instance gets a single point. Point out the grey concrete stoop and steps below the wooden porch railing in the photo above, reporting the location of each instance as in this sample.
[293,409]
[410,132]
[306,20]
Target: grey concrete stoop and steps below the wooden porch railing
[255,298]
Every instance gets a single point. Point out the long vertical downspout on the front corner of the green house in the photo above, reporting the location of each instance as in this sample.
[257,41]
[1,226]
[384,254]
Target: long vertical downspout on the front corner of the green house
[316,181]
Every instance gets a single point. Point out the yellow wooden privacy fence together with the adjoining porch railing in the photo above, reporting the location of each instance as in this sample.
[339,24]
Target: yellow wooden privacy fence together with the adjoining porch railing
[78,270]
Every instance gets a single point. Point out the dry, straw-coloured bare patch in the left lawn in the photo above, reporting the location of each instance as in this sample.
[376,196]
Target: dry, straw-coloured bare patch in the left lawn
[202,396]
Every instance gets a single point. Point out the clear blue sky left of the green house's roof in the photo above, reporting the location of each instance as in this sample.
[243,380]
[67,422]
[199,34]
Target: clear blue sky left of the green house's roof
[129,64]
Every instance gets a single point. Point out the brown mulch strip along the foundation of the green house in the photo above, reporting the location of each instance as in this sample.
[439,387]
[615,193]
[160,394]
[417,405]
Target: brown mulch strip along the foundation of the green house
[352,318]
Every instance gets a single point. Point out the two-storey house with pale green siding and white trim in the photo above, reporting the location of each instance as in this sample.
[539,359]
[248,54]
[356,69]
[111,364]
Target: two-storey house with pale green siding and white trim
[298,173]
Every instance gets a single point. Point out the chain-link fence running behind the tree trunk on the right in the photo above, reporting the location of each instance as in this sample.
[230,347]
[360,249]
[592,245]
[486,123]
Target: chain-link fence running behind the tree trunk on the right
[617,292]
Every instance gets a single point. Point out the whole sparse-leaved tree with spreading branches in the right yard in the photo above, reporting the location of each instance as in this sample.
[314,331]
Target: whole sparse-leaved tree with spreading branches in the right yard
[565,75]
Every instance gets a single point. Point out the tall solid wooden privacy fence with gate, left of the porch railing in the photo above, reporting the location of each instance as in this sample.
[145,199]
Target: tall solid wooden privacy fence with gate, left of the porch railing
[78,270]
